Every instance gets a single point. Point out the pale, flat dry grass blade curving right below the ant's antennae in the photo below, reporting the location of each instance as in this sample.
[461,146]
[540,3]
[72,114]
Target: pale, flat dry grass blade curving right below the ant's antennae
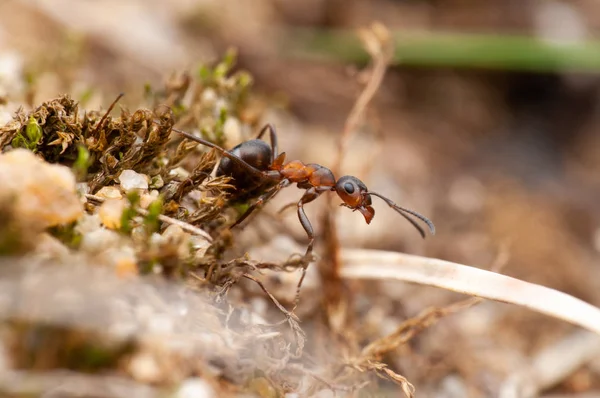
[373,264]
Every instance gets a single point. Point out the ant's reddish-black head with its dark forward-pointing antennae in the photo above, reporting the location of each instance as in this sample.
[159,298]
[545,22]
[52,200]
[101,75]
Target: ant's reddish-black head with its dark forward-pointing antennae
[356,196]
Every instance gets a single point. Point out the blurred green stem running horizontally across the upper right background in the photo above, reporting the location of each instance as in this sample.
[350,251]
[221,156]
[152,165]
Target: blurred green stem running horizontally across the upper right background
[454,50]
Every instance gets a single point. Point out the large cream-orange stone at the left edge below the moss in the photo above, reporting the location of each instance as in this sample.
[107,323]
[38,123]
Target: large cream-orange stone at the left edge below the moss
[42,193]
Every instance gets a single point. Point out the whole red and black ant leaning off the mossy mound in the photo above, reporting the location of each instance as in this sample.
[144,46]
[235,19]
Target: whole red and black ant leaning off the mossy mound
[259,170]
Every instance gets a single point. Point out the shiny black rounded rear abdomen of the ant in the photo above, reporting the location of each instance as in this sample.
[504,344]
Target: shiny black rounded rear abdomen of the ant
[256,153]
